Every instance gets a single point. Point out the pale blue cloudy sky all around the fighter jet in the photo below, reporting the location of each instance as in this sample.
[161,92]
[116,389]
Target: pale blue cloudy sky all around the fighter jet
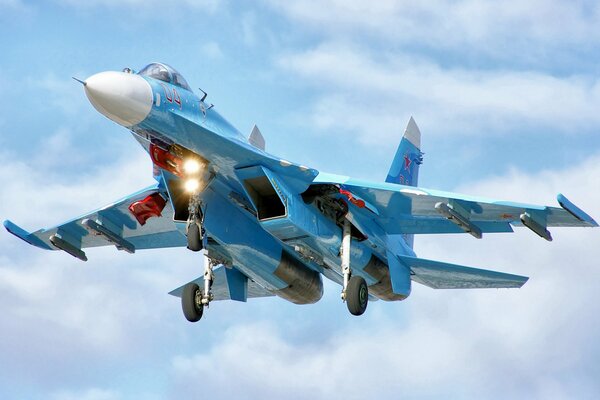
[507,96]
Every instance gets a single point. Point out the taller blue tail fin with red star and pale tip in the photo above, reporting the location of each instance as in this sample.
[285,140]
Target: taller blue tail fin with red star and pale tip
[405,167]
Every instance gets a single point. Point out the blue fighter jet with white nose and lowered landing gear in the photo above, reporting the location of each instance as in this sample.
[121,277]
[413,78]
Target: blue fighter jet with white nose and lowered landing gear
[271,227]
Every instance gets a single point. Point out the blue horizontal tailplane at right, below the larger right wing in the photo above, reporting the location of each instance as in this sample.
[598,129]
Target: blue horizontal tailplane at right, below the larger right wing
[439,275]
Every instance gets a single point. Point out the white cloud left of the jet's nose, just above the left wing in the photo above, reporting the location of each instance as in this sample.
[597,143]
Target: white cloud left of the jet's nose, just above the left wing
[27,191]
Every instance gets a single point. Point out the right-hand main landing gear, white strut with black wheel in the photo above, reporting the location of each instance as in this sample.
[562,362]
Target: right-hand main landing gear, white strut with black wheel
[354,291]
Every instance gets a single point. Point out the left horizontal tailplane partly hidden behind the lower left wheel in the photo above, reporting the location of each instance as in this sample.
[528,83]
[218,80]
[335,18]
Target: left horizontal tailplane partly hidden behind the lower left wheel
[226,286]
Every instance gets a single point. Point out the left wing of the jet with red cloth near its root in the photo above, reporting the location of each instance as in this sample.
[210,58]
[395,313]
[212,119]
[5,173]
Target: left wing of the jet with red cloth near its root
[143,220]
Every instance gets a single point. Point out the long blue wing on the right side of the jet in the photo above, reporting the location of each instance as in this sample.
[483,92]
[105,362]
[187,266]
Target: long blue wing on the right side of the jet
[400,209]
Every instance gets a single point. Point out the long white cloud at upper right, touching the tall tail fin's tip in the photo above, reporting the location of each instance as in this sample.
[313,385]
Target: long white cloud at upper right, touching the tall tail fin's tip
[373,97]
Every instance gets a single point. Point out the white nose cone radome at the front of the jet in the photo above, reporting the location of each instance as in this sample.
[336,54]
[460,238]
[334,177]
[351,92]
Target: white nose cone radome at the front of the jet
[125,98]
